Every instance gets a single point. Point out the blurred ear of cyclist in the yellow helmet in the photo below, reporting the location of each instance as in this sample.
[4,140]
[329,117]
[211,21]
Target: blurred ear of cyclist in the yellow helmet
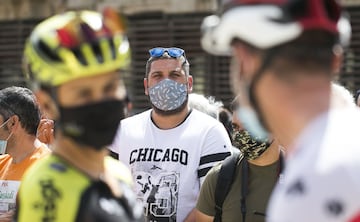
[47,105]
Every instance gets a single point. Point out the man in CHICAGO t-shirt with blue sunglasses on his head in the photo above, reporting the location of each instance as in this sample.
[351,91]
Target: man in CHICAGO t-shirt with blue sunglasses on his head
[170,147]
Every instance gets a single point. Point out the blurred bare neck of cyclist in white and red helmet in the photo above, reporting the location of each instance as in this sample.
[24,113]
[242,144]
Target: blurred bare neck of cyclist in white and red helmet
[295,106]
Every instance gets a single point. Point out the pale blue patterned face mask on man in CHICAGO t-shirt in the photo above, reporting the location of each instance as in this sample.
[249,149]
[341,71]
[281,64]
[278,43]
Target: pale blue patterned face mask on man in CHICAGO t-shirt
[168,94]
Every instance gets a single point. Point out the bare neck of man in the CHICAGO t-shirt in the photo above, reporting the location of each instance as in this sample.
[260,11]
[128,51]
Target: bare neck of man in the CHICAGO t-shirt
[169,121]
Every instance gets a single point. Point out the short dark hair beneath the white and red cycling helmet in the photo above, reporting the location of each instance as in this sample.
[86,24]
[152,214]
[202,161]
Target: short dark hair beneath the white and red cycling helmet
[312,52]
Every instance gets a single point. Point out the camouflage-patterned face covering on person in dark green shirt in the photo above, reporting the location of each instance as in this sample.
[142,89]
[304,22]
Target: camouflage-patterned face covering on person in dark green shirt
[249,147]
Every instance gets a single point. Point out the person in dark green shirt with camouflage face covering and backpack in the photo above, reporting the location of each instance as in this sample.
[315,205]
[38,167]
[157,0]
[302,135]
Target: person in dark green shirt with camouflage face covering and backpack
[257,170]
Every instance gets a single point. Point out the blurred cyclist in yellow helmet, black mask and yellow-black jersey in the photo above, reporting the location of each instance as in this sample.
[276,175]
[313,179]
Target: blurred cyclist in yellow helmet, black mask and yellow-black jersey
[74,62]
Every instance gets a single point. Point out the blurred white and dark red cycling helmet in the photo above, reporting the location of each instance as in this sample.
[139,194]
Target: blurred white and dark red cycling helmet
[268,23]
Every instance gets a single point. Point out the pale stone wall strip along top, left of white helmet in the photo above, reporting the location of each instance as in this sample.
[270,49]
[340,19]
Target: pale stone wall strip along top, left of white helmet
[24,9]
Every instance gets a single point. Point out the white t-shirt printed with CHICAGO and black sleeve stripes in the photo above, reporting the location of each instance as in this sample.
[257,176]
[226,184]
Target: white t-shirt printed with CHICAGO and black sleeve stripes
[168,166]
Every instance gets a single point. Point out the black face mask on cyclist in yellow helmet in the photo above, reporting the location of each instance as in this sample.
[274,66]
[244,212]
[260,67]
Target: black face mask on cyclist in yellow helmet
[94,124]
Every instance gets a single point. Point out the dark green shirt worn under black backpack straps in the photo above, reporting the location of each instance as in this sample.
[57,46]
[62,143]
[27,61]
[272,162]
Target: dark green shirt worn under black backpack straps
[262,180]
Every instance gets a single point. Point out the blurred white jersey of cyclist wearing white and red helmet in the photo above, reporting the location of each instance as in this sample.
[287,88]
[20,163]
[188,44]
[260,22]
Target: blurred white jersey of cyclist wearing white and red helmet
[322,177]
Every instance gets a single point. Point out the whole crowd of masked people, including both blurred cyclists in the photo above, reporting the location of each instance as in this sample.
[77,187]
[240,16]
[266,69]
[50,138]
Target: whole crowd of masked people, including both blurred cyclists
[286,150]
